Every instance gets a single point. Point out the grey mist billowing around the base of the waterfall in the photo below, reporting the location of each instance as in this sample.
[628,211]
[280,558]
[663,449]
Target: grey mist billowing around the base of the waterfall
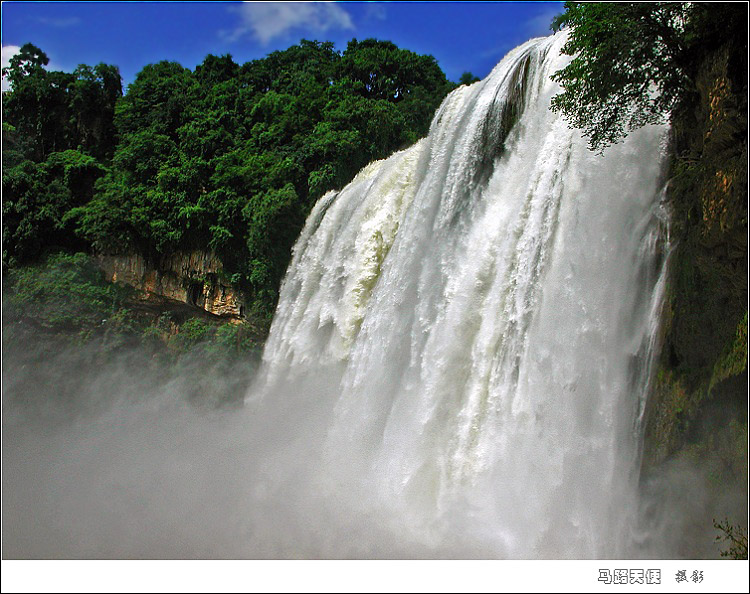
[134,465]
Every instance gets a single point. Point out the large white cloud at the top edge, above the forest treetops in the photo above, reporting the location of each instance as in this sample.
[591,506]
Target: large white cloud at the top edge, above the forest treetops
[266,20]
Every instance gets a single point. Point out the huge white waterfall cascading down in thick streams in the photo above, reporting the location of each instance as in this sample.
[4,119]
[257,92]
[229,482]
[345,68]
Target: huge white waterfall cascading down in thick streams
[480,310]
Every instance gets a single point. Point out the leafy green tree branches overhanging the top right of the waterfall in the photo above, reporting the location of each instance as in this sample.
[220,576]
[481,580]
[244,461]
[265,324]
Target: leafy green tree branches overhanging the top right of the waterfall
[633,62]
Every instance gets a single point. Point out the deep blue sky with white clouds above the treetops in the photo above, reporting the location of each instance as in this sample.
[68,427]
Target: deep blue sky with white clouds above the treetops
[471,36]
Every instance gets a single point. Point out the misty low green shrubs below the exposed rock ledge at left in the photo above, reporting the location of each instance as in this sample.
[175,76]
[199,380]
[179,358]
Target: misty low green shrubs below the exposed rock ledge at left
[66,296]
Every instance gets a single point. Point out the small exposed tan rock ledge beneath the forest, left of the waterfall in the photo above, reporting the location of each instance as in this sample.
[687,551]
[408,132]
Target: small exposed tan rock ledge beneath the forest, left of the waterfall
[194,278]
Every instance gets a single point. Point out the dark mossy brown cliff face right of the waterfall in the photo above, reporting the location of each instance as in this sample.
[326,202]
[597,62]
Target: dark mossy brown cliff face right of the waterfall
[697,412]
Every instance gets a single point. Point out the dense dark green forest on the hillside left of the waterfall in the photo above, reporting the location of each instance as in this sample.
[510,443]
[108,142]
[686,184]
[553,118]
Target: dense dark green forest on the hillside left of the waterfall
[227,158]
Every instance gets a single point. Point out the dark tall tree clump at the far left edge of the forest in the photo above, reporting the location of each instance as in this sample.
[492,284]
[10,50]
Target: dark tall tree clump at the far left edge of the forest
[58,134]
